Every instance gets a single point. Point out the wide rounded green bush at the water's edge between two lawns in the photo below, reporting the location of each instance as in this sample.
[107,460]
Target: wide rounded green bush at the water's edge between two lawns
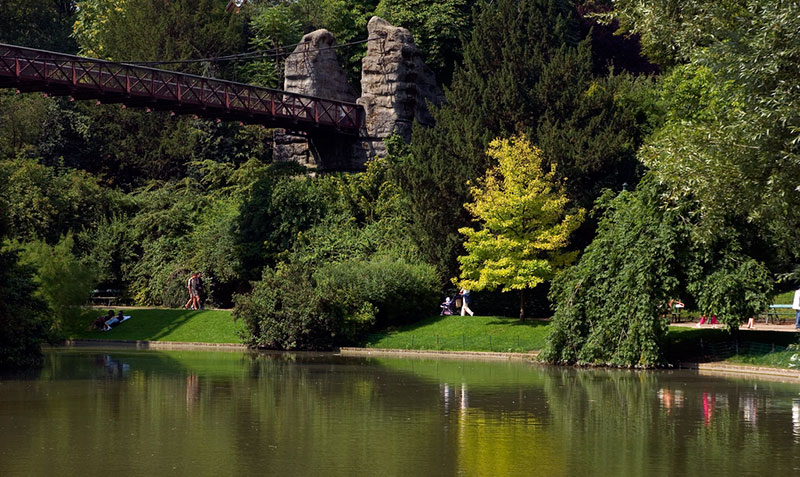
[291,308]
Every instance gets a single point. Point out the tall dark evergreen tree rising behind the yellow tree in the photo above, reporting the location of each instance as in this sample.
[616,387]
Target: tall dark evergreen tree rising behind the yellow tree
[526,71]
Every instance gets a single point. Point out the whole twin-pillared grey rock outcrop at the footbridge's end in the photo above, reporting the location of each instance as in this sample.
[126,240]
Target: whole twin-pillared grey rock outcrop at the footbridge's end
[396,86]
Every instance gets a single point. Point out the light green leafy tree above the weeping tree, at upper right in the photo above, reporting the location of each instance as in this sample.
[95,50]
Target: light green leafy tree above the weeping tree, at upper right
[732,133]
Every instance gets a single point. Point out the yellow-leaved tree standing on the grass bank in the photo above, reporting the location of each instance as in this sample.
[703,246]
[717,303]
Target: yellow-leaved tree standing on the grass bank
[525,221]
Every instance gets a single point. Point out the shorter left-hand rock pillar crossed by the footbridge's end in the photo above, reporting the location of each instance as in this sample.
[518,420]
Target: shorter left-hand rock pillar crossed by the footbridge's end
[313,69]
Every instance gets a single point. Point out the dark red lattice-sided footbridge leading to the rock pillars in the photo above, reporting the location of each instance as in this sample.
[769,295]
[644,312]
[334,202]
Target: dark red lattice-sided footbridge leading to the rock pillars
[28,69]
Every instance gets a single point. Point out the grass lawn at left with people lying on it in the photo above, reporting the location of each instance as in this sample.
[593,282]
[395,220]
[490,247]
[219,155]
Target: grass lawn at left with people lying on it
[204,326]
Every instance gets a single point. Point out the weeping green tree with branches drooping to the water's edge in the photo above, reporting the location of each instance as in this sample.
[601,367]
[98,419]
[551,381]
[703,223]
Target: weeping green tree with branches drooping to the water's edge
[611,307]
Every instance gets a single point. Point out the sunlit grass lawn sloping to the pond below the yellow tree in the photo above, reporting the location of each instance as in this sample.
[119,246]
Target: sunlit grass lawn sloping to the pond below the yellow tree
[470,333]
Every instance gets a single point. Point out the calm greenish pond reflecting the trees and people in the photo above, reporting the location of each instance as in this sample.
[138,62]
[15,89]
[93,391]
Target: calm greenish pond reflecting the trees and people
[119,412]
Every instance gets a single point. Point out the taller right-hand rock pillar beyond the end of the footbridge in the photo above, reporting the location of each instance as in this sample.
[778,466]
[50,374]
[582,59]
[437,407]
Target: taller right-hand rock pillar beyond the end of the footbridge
[395,84]
